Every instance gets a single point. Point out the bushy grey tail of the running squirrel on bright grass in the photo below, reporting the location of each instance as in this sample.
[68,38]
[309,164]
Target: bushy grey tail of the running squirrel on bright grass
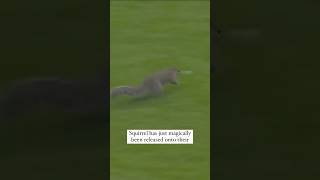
[127,90]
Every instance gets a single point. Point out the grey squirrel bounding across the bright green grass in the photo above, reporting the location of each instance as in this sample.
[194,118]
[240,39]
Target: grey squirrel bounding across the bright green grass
[152,85]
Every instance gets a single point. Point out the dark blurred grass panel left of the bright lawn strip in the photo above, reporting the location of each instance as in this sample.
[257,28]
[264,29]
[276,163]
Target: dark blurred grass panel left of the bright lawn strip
[65,39]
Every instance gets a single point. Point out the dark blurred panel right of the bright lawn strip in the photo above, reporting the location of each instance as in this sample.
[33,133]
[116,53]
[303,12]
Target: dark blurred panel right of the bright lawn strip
[266,116]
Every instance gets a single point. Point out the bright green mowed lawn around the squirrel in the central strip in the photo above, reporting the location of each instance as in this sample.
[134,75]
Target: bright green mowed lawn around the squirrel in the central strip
[146,37]
